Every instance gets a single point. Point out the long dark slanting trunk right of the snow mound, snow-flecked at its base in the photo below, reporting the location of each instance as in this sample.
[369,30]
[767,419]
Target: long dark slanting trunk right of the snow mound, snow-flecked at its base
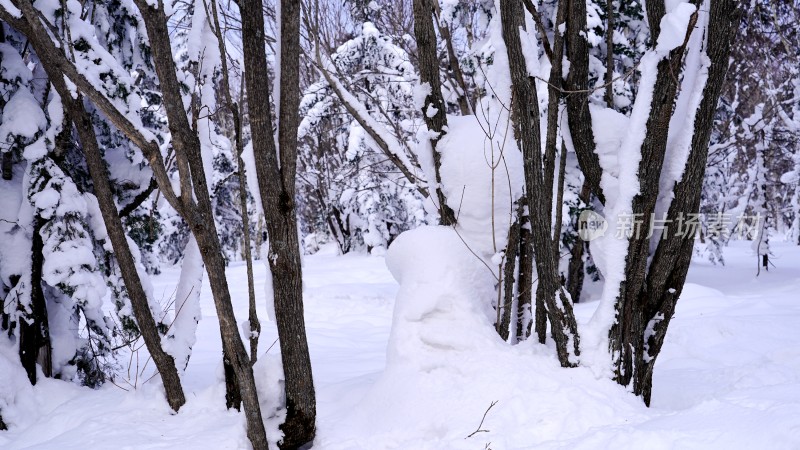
[525,118]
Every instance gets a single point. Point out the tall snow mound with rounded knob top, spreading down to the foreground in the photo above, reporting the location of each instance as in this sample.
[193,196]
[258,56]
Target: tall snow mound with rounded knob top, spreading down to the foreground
[446,365]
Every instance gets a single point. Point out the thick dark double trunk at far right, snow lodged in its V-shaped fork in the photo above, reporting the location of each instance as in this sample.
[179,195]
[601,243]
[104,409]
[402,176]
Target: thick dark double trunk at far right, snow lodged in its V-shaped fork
[648,297]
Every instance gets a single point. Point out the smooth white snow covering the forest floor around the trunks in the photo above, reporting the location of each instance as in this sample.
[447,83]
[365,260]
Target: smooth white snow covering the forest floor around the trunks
[728,377]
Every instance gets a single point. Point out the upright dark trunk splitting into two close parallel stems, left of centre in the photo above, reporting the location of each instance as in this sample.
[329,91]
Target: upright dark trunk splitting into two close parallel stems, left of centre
[276,181]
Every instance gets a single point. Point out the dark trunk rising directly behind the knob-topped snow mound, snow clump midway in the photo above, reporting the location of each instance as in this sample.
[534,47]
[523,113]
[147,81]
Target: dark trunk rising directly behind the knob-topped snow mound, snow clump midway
[429,73]
